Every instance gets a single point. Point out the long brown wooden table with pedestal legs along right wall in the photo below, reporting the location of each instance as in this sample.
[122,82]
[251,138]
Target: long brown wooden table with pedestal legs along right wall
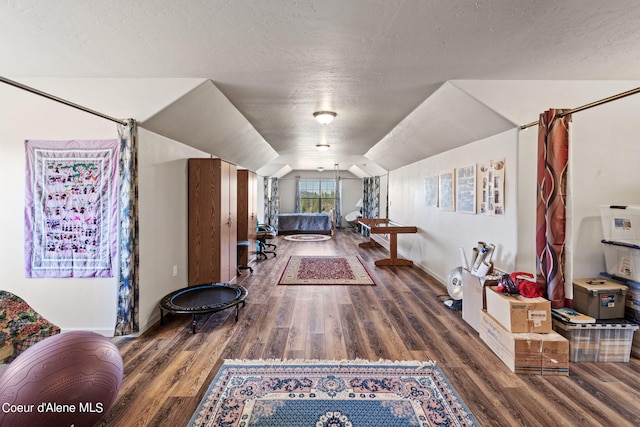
[378,227]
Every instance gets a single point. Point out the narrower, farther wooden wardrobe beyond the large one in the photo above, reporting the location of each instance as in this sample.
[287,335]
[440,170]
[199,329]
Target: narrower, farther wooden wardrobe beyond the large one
[247,215]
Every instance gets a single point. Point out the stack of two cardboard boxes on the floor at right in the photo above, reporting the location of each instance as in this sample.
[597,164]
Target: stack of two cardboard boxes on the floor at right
[519,331]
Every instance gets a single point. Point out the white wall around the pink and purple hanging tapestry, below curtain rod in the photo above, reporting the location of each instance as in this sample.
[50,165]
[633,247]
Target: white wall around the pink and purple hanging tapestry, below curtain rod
[69,303]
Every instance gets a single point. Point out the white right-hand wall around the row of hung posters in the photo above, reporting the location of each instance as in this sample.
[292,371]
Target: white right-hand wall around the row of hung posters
[435,248]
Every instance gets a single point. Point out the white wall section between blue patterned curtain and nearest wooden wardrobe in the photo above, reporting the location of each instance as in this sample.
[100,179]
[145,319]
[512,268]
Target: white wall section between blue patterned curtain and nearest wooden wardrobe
[163,205]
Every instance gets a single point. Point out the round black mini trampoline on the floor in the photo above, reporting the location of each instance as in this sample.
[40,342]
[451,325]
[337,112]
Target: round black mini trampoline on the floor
[203,299]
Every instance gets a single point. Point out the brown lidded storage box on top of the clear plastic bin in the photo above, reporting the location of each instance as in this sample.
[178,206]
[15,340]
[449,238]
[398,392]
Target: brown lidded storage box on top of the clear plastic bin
[599,298]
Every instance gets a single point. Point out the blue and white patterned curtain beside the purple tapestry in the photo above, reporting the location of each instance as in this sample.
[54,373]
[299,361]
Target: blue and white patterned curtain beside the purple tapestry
[128,278]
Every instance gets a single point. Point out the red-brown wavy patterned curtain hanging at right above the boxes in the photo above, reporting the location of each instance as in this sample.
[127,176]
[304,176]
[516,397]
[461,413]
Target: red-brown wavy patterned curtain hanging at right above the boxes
[553,159]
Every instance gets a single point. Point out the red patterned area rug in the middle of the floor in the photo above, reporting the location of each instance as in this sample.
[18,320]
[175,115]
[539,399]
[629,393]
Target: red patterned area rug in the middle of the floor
[325,270]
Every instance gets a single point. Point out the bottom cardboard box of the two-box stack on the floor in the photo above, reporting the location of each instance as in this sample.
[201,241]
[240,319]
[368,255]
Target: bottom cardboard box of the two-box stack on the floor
[526,353]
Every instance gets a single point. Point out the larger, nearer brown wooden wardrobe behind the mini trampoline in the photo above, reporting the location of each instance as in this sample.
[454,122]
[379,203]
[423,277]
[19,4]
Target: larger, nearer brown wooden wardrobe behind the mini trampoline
[213,221]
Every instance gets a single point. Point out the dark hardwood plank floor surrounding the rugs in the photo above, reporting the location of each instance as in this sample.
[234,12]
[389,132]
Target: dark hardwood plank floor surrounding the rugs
[168,369]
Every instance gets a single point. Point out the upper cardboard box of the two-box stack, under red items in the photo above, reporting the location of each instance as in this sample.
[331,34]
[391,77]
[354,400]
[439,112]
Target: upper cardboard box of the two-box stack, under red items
[518,314]
